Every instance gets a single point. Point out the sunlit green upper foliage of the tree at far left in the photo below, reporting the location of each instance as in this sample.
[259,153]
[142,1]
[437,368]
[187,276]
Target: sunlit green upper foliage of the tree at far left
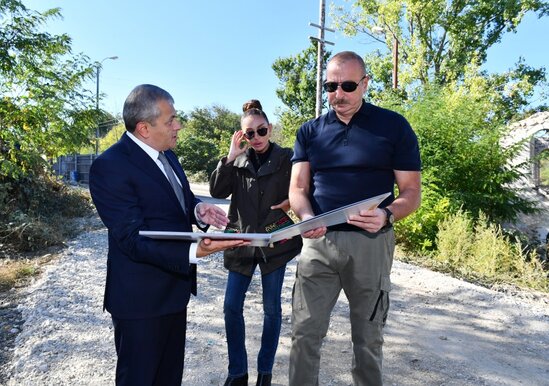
[44,109]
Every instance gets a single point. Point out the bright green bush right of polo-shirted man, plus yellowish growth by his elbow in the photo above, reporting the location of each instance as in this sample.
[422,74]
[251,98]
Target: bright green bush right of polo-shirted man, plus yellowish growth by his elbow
[465,165]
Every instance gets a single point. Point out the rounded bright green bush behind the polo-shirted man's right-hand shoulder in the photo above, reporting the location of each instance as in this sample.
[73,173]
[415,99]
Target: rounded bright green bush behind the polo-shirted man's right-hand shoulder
[461,139]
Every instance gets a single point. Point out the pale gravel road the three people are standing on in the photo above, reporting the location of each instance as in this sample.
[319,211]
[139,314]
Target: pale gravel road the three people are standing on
[440,331]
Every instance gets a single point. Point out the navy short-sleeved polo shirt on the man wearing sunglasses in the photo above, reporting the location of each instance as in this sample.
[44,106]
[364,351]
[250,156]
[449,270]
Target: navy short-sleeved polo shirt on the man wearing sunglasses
[353,162]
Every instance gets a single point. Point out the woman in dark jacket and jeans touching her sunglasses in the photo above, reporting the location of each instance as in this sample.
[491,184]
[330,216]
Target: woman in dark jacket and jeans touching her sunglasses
[256,173]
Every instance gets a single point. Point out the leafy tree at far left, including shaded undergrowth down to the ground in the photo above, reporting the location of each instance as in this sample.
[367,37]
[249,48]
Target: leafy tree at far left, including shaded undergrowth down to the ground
[44,112]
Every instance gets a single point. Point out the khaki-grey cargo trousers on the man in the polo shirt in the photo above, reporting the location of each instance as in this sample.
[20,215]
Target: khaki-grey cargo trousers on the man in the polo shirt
[360,264]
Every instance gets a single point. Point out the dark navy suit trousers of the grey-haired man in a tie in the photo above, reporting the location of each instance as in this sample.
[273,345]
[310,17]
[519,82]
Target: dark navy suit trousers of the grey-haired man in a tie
[150,351]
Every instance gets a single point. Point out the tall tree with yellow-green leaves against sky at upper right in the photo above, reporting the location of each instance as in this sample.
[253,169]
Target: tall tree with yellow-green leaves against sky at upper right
[439,39]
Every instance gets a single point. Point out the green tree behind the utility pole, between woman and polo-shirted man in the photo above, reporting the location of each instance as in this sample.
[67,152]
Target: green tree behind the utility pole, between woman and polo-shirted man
[297,91]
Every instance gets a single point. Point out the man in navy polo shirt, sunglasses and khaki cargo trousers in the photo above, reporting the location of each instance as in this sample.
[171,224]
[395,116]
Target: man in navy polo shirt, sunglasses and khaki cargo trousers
[355,151]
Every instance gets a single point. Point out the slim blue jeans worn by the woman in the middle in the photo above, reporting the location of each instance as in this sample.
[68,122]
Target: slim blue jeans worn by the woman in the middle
[233,308]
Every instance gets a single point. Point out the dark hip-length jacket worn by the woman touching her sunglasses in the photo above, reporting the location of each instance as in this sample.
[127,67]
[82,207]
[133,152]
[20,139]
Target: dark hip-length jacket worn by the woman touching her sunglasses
[253,194]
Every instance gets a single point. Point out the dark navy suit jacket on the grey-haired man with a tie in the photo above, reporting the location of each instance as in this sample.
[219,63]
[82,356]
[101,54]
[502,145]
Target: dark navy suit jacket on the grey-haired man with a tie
[145,277]
